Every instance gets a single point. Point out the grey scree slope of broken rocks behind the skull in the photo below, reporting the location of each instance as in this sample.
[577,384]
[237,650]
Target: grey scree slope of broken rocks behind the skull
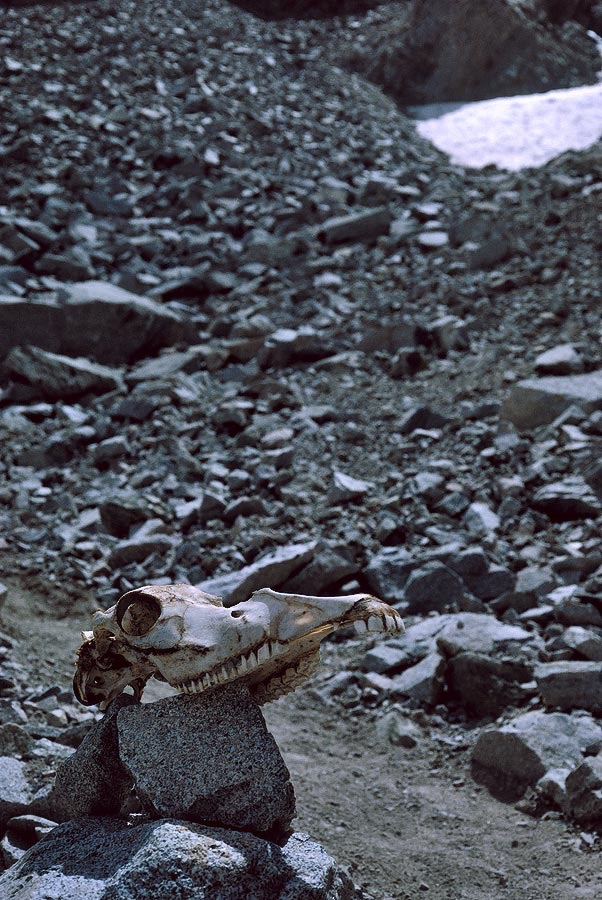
[255,331]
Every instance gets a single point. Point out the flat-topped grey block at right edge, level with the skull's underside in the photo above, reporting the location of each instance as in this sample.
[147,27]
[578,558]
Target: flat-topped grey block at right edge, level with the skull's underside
[571,684]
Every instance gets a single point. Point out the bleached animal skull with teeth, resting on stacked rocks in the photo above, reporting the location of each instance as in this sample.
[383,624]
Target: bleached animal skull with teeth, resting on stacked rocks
[189,639]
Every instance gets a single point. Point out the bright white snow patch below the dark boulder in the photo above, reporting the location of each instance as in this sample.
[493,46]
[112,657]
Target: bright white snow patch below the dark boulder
[514,132]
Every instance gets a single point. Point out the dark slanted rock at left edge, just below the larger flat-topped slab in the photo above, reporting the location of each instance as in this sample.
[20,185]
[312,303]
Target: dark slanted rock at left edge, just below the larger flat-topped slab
[58,377]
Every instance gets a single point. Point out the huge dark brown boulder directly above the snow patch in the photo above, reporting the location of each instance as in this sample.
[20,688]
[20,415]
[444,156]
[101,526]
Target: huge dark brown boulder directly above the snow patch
[470,50]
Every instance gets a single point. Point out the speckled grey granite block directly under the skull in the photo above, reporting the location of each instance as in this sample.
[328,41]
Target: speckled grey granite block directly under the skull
[225,768]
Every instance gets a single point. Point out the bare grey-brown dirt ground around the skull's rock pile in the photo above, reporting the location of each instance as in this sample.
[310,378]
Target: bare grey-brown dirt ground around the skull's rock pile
[407,822]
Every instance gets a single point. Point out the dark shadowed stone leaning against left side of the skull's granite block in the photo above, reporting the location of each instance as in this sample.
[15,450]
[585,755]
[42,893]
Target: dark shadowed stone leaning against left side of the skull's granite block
[93,781]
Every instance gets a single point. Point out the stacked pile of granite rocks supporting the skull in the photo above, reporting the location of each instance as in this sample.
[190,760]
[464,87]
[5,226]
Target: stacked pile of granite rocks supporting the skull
[200,759]
